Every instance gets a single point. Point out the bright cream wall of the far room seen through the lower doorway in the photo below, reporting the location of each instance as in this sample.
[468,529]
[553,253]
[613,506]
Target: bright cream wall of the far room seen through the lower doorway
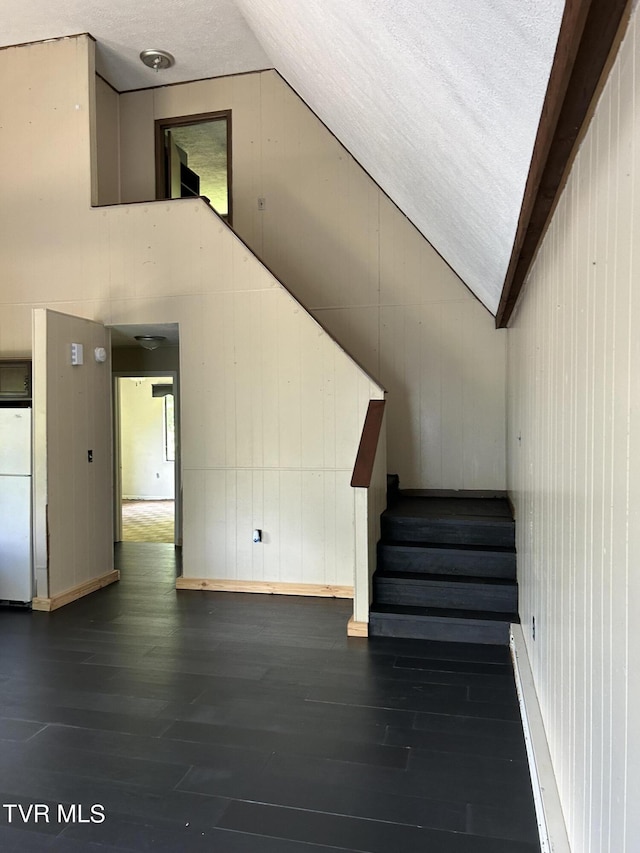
[146,474]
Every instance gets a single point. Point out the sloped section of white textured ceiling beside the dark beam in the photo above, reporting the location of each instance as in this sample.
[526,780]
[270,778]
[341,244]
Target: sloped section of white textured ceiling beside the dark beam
[439,101]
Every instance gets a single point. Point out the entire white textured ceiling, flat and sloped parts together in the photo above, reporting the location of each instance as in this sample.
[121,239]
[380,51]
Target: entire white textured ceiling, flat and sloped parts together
[439,101]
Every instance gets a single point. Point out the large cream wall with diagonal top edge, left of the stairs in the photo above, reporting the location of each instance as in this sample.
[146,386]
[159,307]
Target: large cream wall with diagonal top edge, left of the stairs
[272,409]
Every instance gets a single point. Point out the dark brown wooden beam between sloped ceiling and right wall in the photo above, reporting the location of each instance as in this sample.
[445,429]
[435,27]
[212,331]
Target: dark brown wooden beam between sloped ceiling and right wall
[588,34]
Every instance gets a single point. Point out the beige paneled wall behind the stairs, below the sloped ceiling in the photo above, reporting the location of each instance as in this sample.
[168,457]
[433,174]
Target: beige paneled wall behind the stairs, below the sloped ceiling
[355,261]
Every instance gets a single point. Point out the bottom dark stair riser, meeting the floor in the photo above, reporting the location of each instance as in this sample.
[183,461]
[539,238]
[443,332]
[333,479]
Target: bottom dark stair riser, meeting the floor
[446,630]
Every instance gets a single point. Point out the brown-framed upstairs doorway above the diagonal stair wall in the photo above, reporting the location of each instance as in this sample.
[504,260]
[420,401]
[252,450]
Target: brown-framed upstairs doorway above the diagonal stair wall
[193,158]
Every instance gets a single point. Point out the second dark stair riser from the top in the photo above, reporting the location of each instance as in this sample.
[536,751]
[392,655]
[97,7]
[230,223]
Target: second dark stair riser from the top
[395,558]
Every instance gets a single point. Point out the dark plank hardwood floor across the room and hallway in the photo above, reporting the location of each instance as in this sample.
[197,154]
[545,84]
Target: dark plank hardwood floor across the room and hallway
[247,723]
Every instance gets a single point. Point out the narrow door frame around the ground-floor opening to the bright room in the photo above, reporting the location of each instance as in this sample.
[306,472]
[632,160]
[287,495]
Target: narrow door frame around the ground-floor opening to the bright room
[117,450]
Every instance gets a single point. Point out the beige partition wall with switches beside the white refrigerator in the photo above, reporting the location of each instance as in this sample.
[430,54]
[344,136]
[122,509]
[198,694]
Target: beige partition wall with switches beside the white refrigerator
[73,522]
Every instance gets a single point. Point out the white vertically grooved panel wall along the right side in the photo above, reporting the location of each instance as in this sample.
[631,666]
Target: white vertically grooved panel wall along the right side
[574,472]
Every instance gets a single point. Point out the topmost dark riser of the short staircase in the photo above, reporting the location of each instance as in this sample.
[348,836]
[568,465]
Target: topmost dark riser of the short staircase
[448,533]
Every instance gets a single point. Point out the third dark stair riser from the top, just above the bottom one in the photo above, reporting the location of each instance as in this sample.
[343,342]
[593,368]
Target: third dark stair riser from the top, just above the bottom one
[455,596]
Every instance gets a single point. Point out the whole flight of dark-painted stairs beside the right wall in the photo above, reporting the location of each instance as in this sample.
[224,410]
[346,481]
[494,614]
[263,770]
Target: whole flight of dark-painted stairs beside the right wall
[446,569]
